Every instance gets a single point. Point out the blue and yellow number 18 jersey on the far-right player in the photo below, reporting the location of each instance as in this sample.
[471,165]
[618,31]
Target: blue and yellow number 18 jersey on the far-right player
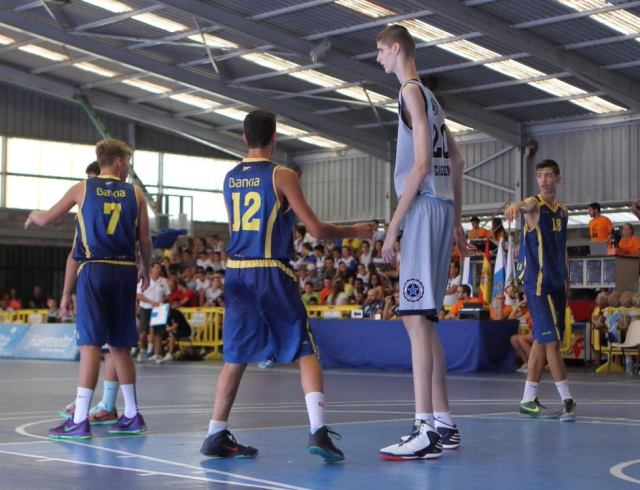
[542,257]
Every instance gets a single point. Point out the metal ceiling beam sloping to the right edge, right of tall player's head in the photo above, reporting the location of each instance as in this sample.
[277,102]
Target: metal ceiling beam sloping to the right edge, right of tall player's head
[618,86]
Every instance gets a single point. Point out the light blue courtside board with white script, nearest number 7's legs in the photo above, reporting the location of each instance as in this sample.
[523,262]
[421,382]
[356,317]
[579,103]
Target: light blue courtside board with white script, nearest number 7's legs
[49,342]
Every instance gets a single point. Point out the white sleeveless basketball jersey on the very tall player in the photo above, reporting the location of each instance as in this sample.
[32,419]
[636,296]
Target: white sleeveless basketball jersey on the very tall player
[437,183]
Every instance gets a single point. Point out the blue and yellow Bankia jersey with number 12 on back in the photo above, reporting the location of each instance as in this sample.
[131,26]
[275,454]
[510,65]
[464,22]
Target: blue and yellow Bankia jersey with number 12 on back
[261,226]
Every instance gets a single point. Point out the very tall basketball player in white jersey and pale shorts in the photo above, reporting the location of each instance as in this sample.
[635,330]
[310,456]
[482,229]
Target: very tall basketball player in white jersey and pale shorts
[428,181]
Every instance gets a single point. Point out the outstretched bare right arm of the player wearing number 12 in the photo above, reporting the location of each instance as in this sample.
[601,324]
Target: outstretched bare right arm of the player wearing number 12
[288,185]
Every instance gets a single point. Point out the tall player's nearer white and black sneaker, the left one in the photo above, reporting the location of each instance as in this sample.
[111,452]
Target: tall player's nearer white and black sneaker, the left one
[423,442]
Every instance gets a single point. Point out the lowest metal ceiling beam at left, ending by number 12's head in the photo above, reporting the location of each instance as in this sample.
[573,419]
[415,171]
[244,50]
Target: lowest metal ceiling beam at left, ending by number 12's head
[207,135]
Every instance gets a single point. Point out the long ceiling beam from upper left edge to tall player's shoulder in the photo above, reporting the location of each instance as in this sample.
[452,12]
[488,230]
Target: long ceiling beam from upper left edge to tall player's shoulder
[332,129]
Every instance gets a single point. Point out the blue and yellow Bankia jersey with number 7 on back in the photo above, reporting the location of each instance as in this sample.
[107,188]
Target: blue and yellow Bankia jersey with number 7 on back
[107,221]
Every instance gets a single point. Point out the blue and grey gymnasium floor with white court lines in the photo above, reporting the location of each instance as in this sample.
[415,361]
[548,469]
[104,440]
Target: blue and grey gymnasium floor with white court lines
[369,410]
